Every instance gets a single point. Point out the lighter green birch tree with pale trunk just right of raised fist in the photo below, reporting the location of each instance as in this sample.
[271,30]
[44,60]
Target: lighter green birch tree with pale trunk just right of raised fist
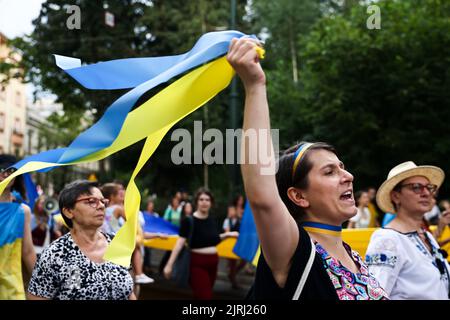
[282,24]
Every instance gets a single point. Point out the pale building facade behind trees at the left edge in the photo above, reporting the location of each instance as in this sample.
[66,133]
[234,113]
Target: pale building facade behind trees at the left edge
[21,126]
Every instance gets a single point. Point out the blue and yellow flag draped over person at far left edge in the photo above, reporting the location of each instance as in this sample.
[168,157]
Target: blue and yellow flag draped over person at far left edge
[12,218]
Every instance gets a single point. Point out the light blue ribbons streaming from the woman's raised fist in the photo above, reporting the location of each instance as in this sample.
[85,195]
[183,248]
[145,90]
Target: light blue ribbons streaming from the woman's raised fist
[141,73]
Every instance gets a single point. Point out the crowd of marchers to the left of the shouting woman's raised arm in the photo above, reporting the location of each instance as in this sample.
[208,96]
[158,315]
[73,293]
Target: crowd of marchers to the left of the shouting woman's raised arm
[62,250]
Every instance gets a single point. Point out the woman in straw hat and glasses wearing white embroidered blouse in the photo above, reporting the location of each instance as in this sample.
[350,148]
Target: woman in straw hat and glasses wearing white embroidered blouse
[403,256]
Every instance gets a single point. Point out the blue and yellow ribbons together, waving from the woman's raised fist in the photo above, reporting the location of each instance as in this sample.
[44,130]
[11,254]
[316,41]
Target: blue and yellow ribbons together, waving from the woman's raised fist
[118,128]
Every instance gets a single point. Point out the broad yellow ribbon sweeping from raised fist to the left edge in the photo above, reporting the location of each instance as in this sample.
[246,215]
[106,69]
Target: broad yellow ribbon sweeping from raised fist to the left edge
[156,113]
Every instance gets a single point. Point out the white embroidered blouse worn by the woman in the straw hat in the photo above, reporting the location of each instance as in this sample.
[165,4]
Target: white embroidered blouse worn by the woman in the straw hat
[404,266]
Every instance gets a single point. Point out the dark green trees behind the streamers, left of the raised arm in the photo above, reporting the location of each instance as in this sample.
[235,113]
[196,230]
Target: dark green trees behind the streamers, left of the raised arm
[142,28]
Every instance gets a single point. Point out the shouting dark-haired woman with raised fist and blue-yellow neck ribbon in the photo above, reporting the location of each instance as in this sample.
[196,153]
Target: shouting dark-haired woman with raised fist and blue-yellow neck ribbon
[298,210]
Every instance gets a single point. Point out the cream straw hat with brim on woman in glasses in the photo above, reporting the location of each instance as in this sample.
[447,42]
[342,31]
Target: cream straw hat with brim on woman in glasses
[401,172]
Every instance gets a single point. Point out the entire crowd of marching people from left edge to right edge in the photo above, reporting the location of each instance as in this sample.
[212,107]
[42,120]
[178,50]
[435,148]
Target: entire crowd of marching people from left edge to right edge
[299,212]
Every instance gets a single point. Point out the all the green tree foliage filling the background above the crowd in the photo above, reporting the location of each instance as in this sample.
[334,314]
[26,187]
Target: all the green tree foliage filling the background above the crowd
[380,96]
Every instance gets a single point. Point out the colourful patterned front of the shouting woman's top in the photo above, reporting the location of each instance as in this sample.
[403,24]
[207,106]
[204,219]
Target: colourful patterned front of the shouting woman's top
[350,286]
